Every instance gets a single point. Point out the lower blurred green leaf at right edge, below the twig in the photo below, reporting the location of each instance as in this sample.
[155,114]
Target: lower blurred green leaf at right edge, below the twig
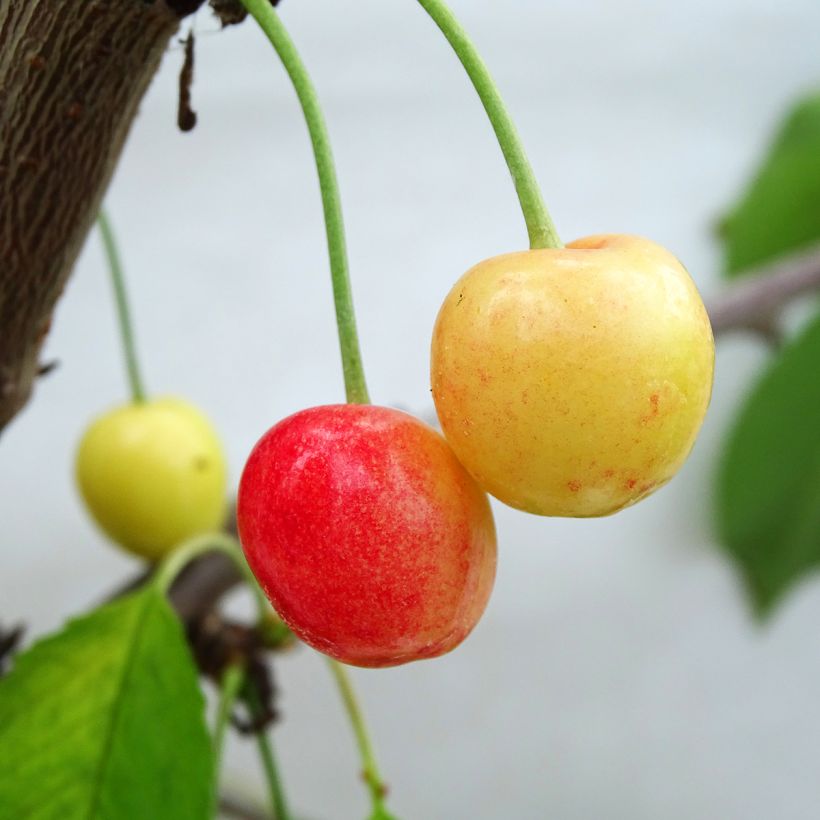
[769,480]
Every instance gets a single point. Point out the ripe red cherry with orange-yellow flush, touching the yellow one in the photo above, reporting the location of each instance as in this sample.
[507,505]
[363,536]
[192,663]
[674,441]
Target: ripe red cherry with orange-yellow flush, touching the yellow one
[368,536]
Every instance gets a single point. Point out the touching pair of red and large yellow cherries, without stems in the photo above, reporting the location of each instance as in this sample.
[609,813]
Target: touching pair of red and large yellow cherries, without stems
[567,382]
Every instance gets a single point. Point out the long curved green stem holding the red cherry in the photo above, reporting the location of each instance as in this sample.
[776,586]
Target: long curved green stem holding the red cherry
[272,26]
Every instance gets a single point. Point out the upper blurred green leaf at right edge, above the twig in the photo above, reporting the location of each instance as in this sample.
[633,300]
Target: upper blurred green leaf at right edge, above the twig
[780,211]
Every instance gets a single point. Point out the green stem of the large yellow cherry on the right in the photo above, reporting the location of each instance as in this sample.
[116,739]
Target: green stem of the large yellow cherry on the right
[540,227]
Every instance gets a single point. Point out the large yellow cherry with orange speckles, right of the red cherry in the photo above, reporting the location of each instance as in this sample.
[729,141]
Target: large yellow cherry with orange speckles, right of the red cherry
[573,382]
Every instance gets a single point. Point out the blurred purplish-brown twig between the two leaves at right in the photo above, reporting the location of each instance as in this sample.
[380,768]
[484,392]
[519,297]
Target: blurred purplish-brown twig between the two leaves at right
[751,302]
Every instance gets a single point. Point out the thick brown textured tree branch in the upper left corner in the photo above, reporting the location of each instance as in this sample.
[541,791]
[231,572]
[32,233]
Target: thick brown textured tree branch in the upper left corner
[72,74]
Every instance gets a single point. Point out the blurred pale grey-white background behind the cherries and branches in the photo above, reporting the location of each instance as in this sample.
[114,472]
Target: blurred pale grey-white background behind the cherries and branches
[618,672]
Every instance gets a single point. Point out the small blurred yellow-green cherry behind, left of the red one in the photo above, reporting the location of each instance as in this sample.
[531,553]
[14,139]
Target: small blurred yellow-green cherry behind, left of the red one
[153,475]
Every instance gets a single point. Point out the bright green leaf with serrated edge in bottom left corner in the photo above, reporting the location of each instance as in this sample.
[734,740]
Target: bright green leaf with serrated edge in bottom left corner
[106,720]
